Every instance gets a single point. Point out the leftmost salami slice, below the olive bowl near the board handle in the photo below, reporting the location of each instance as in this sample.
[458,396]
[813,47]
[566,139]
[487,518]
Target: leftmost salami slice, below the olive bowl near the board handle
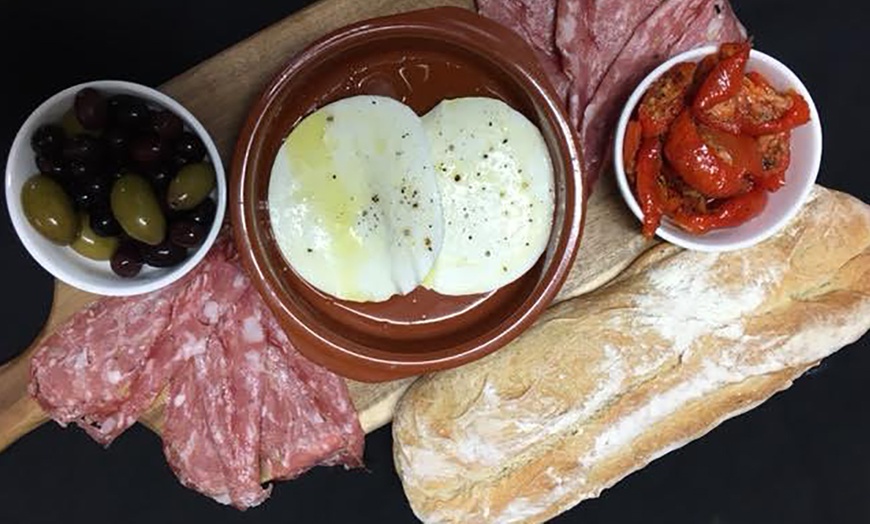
[84,370]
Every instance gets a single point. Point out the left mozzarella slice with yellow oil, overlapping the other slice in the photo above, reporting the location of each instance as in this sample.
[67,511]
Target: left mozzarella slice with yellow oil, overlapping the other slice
[354,202]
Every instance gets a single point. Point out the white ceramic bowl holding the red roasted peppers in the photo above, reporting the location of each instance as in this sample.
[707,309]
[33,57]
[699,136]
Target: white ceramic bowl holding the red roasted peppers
[782,206]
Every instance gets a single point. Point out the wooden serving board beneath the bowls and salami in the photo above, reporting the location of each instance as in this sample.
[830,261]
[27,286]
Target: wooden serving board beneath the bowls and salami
[219,92]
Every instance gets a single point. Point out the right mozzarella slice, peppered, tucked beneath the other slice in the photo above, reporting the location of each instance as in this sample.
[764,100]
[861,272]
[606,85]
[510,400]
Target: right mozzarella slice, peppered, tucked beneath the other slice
[495,176]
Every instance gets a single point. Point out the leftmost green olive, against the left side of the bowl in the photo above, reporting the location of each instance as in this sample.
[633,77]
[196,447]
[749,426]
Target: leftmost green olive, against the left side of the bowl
[49,209]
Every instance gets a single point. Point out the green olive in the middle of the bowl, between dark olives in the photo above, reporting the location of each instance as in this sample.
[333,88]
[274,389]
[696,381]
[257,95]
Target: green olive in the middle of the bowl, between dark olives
[136,208]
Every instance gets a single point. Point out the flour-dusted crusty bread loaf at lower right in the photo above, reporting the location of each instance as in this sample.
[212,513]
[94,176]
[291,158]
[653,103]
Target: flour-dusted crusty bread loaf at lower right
[604,384]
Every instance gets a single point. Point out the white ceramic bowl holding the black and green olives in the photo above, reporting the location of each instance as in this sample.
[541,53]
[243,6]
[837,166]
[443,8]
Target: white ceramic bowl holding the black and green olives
[64,263]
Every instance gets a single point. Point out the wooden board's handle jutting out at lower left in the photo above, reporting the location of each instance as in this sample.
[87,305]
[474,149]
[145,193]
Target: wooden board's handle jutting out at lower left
[19,412]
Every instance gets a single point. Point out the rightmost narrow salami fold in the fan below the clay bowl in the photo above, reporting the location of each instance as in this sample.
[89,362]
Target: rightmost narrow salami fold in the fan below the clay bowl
[329,393]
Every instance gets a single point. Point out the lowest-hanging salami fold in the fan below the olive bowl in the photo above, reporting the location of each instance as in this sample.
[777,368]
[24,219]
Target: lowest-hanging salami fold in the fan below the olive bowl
[187,441]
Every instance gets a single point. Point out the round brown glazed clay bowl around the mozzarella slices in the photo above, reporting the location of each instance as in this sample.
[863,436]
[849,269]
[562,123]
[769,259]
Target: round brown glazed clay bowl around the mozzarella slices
[419,58]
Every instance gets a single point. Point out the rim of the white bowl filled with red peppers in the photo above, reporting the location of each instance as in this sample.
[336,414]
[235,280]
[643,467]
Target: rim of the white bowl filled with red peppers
[688,240]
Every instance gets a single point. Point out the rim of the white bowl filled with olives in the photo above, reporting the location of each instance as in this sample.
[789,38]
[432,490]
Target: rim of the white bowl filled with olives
[119,287]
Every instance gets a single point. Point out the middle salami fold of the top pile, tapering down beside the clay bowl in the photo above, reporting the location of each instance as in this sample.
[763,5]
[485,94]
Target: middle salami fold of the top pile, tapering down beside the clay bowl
[589,36]
